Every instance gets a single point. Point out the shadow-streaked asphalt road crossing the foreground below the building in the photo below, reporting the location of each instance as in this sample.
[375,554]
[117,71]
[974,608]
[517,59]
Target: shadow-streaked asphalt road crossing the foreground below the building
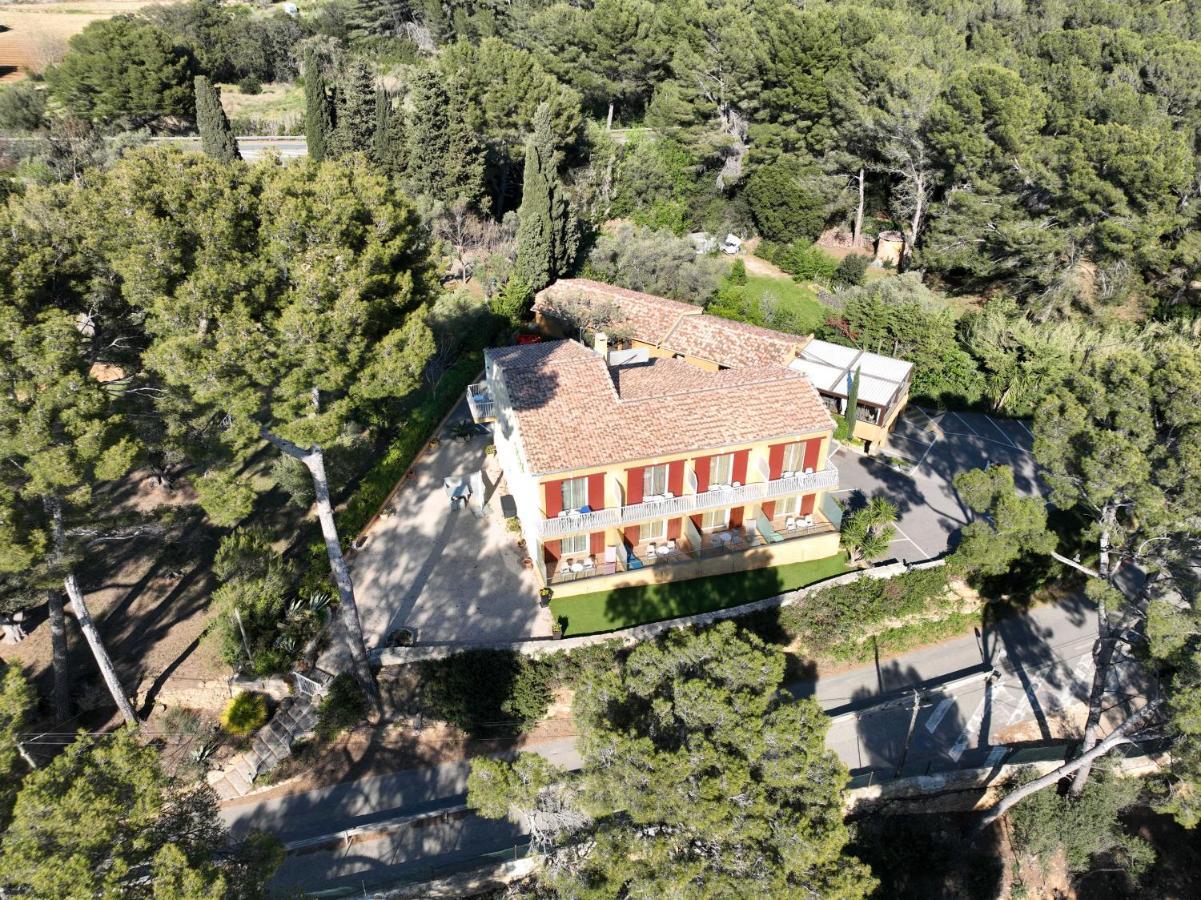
[1045,666]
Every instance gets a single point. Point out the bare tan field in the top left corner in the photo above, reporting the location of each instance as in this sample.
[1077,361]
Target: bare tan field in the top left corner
[38,34]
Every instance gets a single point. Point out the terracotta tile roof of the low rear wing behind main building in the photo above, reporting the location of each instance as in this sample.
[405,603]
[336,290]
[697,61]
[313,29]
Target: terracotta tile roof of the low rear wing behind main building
[680,327]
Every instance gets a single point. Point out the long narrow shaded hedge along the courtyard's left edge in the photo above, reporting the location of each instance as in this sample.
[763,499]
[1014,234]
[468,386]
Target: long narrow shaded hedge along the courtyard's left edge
[383,478]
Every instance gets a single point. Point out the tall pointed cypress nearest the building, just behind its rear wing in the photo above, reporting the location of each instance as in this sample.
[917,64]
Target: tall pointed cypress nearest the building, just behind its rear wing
[548,235]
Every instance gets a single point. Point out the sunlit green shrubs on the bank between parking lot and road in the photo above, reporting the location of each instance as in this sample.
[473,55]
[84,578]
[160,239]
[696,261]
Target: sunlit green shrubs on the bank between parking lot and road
[840,615]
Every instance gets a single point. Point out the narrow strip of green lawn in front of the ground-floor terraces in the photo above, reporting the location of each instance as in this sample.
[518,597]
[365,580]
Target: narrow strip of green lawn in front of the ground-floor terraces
[608,611]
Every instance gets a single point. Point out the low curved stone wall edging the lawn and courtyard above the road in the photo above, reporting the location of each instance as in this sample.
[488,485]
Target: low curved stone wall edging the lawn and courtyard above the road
[536,647]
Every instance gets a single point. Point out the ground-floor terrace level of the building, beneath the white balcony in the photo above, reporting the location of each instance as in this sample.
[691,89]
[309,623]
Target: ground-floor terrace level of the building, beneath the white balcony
[793,531]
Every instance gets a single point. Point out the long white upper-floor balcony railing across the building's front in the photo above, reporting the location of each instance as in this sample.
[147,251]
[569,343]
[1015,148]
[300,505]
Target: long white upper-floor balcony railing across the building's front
[672,508]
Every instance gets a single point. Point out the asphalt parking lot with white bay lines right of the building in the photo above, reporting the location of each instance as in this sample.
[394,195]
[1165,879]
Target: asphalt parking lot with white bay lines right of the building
[927,451]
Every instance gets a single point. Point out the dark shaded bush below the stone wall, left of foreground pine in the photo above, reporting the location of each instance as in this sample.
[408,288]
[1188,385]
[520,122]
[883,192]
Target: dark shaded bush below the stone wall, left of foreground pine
[488,693]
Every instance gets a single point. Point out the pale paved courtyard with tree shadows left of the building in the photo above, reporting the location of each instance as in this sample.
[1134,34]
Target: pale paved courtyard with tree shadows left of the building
[451,575]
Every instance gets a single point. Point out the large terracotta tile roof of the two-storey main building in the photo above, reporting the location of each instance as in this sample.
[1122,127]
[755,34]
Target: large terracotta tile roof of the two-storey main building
[573,413]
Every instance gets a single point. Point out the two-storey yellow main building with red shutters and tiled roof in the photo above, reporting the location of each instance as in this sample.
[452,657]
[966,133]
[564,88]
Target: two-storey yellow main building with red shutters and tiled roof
[629,469]
